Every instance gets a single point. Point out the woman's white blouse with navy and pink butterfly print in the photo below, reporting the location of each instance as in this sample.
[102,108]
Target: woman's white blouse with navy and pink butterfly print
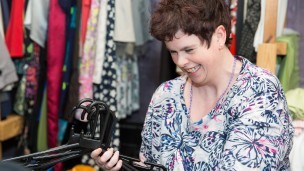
[249,130]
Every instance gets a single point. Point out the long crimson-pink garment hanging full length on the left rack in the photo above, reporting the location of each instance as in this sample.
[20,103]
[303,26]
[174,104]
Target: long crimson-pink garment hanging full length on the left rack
[55,57]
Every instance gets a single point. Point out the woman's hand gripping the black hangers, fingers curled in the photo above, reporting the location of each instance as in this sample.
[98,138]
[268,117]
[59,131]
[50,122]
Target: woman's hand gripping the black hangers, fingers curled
[109,160]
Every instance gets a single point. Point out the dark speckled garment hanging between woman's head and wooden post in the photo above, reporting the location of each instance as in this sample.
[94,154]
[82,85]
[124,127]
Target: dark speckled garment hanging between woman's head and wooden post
[251,23]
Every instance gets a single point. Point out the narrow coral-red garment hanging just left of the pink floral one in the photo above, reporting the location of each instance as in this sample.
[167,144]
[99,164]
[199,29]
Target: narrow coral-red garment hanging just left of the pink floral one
[85,11]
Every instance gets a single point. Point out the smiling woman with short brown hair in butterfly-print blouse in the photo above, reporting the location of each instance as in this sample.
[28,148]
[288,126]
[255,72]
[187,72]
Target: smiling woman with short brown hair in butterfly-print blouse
[224,113]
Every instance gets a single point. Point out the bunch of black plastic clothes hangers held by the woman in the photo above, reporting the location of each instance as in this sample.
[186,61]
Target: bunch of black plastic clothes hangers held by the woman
[84,143]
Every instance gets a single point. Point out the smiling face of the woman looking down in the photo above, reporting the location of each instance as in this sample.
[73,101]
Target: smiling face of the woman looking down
[193,57]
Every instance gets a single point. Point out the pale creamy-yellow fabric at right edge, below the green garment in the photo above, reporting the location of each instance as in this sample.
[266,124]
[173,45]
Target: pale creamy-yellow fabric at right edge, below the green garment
[295,101]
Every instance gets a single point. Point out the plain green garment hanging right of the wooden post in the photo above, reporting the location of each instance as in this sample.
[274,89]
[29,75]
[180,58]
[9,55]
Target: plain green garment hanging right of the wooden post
[289,72]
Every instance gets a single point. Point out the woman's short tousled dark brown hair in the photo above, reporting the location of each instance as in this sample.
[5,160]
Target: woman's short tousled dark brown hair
[198,17]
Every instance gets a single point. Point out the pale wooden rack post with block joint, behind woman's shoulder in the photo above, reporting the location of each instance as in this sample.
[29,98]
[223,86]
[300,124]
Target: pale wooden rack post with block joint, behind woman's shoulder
[269,49]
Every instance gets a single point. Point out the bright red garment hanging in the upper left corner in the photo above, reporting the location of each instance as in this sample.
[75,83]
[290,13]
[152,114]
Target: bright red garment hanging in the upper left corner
[14,33]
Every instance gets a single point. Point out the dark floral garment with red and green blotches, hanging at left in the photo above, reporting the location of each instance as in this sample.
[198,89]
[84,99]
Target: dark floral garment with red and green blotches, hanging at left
[28,93]
